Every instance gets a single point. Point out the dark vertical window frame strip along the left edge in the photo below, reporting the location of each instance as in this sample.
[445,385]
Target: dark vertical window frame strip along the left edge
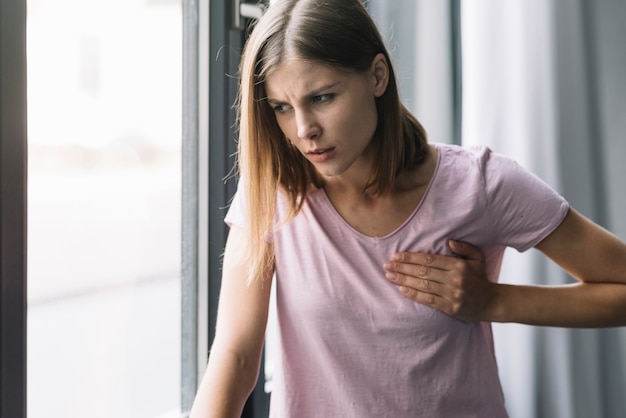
[13,207]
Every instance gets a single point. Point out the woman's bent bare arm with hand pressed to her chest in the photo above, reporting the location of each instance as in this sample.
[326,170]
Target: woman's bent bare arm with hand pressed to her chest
[458,285]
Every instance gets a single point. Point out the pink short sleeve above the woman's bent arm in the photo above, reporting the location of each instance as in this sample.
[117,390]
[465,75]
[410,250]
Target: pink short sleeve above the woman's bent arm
[522,208]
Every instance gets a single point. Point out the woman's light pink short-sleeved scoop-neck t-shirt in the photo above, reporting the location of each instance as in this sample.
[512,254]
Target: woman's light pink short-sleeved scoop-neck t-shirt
[349,344]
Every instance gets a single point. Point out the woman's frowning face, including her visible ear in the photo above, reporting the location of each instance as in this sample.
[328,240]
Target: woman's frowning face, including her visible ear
[328,114]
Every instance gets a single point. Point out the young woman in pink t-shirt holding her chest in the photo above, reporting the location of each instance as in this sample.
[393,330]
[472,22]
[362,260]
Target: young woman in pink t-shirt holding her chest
[385,249]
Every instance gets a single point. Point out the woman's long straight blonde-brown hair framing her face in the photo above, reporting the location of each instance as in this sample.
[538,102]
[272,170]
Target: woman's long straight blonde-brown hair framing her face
[340,33]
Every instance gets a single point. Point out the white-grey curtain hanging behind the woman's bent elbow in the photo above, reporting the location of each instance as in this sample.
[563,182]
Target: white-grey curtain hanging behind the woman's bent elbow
[543,82]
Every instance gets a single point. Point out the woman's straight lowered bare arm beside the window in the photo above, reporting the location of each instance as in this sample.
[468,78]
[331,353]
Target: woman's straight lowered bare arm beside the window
[240,331]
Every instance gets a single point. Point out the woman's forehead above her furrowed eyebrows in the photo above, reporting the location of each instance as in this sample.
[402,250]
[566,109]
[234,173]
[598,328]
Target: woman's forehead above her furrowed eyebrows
[299,77]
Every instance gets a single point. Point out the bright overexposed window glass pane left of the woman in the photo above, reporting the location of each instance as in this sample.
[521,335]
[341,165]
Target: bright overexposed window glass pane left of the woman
[104,110]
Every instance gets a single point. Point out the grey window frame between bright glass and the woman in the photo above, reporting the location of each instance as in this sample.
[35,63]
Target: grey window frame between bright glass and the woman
[213,38]
